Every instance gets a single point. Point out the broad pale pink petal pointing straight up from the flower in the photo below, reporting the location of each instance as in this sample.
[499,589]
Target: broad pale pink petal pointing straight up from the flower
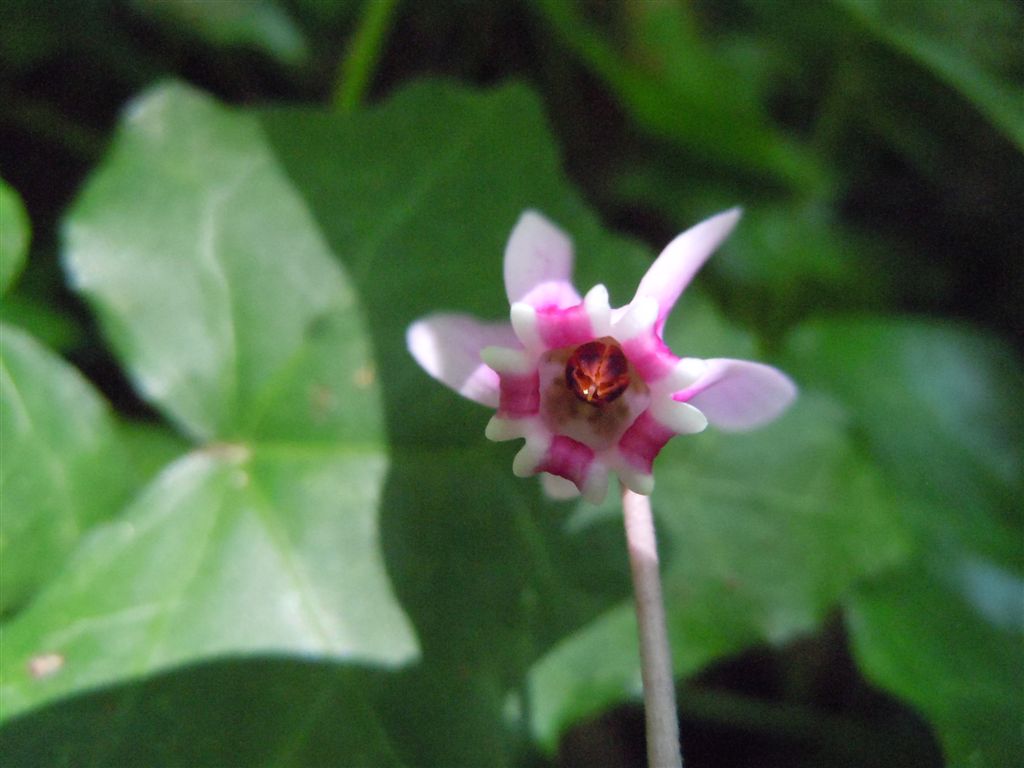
[539,265]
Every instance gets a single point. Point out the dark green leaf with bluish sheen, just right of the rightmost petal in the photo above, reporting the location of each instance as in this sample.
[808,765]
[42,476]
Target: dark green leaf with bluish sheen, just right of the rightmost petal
[938,407]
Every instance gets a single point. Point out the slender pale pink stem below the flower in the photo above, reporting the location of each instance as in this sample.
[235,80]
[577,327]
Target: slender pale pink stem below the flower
[656,659]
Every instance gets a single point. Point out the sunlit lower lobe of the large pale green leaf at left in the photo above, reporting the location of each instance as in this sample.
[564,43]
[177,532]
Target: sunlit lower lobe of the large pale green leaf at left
[230,551]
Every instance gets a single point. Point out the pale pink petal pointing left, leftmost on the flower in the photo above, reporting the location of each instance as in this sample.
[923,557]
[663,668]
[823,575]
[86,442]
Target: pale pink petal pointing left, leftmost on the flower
[448,347]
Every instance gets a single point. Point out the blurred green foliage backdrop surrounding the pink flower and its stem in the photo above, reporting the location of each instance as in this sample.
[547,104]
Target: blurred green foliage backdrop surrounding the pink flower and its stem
[241,528]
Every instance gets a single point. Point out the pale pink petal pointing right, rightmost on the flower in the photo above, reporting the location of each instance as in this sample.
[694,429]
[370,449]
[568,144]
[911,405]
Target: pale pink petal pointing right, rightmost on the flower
[739,395]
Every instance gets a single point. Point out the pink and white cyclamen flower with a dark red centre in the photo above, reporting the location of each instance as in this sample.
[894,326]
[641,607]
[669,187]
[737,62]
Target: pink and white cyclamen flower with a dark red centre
[593,391]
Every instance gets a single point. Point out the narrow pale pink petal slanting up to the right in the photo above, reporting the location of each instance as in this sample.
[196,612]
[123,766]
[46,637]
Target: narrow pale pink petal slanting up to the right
[681,260]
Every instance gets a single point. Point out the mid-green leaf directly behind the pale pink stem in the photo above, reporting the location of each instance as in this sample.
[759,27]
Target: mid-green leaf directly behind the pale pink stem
[761,535]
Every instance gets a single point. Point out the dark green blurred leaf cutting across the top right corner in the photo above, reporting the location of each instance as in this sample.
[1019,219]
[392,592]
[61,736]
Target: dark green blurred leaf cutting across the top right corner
[974,47]
